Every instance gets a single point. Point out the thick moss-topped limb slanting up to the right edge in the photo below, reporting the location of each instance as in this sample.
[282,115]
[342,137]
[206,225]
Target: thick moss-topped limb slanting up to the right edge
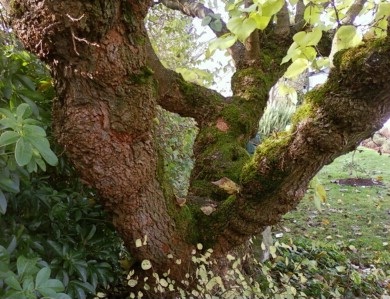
[351,106]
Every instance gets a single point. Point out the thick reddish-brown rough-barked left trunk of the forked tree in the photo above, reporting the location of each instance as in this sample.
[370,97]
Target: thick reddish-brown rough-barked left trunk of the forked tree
[103,114]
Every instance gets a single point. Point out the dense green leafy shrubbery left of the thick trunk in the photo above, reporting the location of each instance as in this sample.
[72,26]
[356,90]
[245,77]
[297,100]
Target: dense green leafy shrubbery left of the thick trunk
[55,239]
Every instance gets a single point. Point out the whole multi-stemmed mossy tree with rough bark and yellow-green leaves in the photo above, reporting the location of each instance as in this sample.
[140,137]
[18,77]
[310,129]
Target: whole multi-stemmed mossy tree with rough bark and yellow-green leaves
[109,82]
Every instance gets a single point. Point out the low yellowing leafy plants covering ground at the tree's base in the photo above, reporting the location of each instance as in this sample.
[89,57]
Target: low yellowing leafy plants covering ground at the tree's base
[301,270]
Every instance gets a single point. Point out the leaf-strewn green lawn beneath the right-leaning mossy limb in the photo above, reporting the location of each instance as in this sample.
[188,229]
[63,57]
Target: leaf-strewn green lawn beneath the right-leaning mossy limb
[355,219]
